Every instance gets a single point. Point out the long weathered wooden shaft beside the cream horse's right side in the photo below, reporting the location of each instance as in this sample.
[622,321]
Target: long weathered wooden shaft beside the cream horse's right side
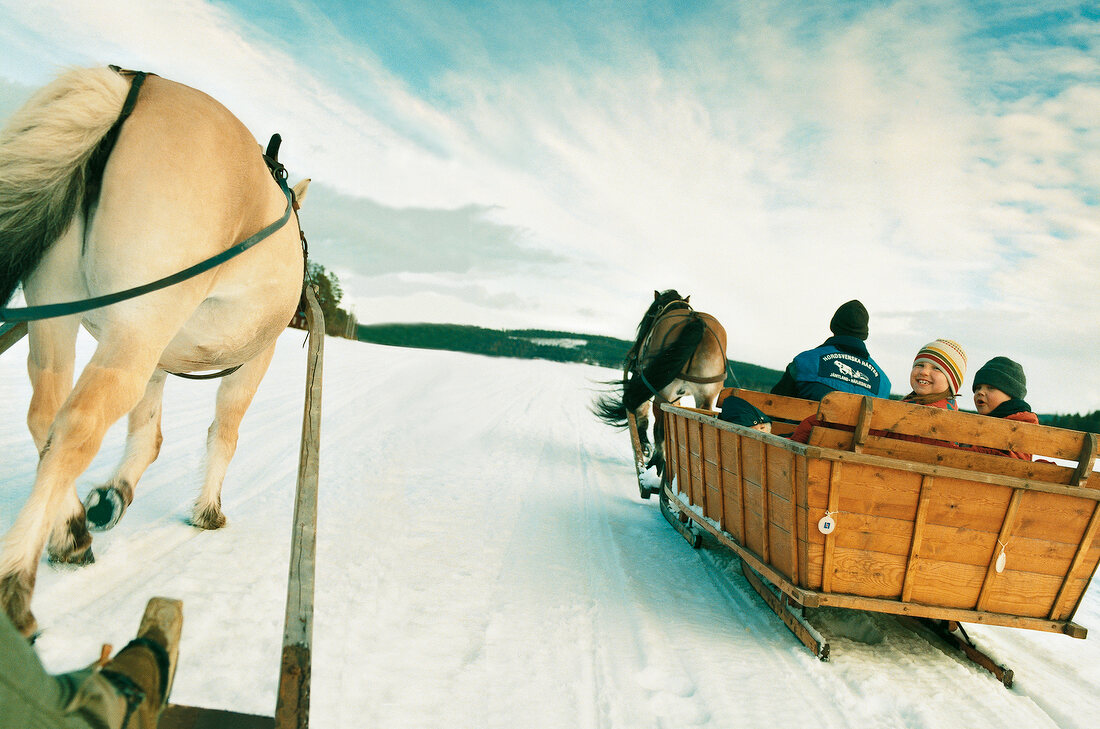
[293,706]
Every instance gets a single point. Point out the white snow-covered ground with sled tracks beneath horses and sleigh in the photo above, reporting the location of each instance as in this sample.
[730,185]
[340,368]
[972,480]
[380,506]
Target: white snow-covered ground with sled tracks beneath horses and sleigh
[485,561]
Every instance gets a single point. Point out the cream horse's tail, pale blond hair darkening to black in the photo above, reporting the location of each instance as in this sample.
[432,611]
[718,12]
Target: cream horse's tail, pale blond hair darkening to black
[45,152]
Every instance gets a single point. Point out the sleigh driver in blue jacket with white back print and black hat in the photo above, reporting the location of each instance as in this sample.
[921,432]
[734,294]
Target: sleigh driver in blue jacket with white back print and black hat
[841,363]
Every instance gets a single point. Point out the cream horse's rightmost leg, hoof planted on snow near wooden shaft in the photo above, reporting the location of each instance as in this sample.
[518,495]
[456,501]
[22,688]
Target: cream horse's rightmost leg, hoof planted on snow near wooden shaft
[235,396]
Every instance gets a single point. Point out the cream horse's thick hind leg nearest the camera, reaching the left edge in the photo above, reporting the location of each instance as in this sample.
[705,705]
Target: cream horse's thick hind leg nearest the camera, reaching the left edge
[109,386]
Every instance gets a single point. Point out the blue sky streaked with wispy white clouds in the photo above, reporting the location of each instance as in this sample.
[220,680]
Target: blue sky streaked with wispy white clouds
[551,164]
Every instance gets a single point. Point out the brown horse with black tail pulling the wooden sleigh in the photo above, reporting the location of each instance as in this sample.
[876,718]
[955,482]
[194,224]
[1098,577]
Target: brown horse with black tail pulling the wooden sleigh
[678,352]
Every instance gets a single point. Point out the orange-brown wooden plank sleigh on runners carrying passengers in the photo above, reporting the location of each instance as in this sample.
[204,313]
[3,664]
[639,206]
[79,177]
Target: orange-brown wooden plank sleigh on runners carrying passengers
[931,532]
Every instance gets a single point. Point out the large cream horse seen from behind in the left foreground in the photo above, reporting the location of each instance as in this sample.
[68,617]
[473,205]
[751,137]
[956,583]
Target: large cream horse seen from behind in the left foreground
[184,182]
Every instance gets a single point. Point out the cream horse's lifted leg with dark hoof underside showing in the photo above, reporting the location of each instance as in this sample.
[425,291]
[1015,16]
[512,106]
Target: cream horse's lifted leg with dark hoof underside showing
[106,504]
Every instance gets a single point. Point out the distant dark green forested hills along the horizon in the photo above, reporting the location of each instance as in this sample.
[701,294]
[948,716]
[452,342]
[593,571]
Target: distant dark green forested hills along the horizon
[590,349]
